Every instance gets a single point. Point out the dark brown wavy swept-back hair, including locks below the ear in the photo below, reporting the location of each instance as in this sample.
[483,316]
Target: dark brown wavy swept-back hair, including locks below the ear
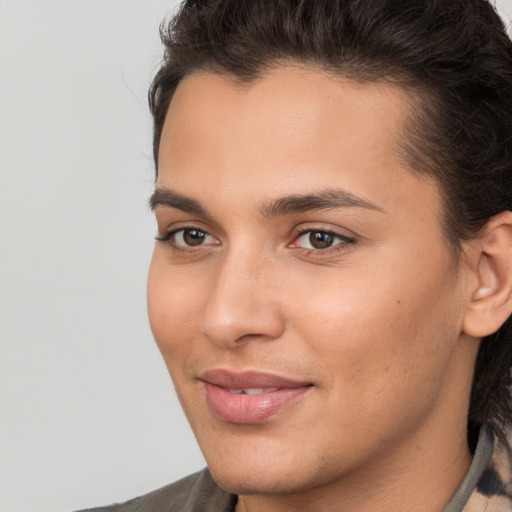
[453,56]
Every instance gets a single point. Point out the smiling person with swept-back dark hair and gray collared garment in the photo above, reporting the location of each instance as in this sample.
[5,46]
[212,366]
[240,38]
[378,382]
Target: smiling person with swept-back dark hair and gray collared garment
[331,285]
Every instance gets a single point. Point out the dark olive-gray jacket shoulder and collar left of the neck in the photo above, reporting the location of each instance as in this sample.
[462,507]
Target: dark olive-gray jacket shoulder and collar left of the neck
[194,493]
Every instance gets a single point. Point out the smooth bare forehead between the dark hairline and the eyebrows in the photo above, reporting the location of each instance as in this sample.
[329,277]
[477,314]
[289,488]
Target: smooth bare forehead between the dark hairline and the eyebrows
[298,128]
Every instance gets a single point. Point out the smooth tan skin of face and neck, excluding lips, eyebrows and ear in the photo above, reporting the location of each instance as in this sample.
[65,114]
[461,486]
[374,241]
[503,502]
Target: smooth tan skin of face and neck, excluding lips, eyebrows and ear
[374,322]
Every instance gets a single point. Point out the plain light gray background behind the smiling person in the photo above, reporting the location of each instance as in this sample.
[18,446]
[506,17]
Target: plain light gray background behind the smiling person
[87,412]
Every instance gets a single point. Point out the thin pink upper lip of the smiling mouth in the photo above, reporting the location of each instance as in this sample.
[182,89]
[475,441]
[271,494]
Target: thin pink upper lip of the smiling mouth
[249,379]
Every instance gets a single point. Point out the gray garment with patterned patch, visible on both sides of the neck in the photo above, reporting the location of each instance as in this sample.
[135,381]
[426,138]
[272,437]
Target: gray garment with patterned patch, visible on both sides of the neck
[487,487]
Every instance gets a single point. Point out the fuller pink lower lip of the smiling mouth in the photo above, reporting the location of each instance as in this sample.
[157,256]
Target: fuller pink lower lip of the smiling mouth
[247,409]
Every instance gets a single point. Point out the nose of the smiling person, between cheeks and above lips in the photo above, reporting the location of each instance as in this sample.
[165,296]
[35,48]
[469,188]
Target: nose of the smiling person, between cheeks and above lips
[242,302]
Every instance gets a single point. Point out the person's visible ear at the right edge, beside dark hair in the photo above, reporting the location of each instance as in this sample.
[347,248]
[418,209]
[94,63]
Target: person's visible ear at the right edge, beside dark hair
[491,299]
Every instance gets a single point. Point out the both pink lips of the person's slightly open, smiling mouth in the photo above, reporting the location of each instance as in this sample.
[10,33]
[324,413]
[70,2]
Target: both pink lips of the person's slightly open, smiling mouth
[279,392]
